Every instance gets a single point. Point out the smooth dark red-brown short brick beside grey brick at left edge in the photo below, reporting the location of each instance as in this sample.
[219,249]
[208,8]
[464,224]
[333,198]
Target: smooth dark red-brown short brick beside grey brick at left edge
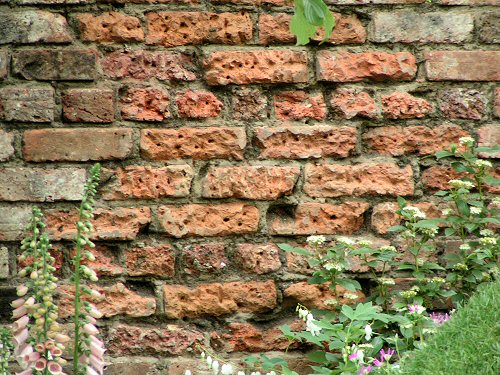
[89,105]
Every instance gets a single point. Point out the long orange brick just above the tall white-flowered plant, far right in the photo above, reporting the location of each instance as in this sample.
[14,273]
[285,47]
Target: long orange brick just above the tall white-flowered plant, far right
[398,140]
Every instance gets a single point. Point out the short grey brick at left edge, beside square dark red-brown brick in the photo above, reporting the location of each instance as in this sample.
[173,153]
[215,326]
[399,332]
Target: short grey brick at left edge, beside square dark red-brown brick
[27,104]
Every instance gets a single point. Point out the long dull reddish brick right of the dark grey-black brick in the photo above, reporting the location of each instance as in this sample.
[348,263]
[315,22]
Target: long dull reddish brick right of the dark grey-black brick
[141,65]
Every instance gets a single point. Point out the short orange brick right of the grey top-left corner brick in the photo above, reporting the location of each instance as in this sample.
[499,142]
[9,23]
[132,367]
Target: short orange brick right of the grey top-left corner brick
[110,27]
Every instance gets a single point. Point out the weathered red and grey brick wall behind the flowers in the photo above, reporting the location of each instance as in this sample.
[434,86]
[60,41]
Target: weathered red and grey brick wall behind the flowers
[219,139]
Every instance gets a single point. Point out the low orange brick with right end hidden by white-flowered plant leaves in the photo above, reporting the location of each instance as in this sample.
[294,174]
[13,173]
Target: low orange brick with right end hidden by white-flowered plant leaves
[318,296]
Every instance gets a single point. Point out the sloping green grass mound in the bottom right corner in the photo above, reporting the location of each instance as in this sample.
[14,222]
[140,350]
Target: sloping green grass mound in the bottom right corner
[468,344]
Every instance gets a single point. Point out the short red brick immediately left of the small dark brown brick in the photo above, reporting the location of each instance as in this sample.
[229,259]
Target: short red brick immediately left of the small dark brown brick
[198,104]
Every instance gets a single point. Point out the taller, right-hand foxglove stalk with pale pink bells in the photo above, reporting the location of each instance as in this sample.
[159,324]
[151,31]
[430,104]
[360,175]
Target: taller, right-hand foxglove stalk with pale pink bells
[88,354]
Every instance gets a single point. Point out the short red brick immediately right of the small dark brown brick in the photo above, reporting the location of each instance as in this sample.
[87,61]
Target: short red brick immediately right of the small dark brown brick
[298,105]
